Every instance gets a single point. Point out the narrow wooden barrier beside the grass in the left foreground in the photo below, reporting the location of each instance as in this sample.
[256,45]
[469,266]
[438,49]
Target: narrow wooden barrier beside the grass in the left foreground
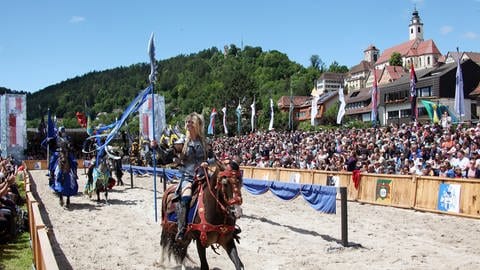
[43,256]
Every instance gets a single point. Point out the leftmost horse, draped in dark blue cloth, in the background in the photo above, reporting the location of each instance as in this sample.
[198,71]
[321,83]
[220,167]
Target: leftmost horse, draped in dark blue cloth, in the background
[64,181]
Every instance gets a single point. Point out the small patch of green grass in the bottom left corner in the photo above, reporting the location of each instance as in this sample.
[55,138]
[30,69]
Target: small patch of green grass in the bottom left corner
[16,255]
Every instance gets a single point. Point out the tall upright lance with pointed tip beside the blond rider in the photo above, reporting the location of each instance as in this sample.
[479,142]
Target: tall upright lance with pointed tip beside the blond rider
[152,77]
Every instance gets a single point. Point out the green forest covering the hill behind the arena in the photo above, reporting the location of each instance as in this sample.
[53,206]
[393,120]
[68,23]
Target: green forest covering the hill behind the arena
[211,78]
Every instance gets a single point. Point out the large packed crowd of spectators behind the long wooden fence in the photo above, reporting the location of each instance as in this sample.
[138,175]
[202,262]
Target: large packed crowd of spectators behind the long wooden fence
[408,149]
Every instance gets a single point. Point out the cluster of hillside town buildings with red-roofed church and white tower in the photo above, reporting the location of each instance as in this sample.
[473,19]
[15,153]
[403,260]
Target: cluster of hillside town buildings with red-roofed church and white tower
[436,75]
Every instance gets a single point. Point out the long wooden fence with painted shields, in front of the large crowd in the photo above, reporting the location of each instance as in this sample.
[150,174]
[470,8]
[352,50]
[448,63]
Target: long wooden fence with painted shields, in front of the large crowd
[404,191]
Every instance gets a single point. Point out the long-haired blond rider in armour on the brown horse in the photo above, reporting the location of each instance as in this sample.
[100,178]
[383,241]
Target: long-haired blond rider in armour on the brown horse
[194,156]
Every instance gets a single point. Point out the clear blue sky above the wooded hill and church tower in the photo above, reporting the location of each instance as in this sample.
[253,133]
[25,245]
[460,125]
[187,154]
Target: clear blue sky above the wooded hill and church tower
[46,42]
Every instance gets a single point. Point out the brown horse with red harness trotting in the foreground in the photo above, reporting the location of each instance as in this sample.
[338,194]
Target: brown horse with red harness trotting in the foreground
[217,209]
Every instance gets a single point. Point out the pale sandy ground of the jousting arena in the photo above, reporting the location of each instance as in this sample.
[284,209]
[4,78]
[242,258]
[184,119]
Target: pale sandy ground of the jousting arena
[276,234]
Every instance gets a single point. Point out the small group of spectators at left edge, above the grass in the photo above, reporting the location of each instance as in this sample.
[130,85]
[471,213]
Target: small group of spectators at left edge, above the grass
[12,217]
